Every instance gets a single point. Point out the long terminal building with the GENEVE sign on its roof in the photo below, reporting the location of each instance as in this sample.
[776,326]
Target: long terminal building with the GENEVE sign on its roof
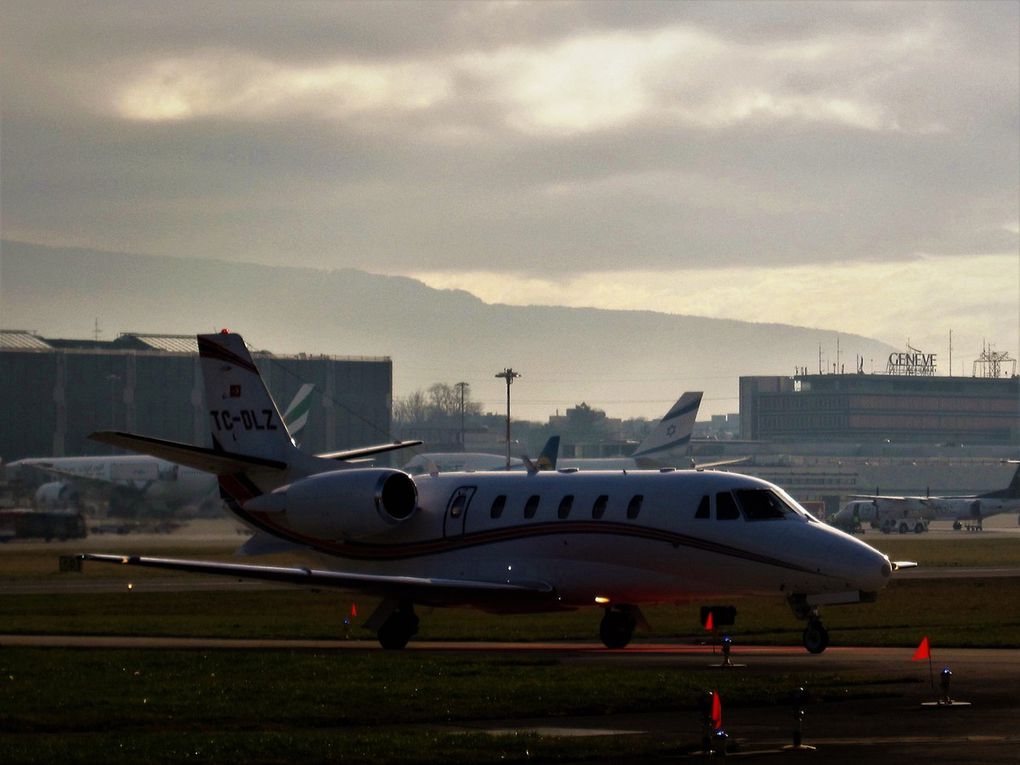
[827,438]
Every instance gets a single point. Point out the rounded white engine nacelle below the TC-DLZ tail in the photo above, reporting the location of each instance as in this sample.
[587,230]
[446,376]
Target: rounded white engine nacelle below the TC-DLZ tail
[343,504]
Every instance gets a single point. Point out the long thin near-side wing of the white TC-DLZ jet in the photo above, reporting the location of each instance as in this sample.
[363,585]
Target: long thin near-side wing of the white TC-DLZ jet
[421,590]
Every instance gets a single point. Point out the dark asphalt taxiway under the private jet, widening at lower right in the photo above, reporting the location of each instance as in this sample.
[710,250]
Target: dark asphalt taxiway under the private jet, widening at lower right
[892,728]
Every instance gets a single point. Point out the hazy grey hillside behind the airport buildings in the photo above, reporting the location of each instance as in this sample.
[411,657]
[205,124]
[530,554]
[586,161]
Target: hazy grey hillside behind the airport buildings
[630,364]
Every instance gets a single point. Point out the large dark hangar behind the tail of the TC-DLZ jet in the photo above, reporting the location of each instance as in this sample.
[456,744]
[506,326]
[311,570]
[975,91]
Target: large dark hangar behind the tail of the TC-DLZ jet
[57,392]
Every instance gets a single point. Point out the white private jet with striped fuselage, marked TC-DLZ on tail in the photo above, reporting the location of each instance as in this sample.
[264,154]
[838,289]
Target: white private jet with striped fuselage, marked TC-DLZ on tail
[507,542]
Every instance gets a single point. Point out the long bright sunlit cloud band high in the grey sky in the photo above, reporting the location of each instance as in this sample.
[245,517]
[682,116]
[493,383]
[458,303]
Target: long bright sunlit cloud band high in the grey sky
[580,84]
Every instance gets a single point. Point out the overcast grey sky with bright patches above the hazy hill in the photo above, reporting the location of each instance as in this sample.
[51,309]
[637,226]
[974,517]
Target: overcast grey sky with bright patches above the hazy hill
[853,167]
